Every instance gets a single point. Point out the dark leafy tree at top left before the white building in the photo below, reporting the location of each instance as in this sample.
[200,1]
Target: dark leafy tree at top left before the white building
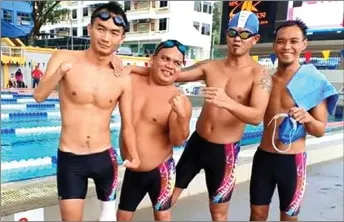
[44,12]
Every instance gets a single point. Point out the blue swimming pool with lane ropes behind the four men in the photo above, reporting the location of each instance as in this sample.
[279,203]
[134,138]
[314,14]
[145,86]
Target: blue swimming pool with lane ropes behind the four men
[30,136]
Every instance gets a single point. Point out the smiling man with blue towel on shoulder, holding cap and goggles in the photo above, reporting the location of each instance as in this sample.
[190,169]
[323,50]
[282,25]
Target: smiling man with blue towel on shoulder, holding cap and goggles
[279,160]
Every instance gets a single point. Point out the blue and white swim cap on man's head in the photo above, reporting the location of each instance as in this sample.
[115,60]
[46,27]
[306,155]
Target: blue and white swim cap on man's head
[246,20]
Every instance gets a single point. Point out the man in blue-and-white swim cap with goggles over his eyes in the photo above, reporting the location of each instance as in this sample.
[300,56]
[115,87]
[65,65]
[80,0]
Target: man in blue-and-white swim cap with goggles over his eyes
[237,94]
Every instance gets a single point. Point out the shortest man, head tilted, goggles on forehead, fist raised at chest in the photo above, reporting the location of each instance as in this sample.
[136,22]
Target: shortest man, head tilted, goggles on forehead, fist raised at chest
[161,117]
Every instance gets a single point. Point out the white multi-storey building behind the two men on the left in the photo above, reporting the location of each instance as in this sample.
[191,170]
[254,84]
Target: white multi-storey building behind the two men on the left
[151,22]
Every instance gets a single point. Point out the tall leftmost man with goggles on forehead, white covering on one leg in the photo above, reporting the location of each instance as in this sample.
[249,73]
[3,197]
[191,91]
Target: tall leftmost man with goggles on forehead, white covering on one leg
[88,92]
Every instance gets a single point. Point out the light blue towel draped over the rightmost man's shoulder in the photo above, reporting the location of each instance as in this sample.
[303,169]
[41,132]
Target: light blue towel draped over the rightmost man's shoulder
[309,87]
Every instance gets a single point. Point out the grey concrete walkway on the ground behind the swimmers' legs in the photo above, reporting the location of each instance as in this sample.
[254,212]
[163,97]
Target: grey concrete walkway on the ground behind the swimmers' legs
[323,199]
